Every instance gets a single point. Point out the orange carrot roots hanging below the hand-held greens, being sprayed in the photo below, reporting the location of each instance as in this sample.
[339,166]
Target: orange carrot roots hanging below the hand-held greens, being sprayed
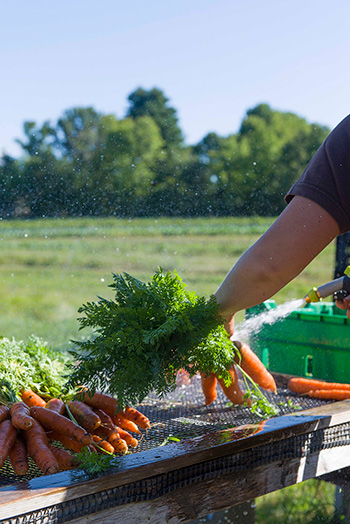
[251,366]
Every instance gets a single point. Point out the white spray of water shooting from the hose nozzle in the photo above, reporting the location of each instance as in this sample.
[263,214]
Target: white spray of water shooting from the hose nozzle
[253,325]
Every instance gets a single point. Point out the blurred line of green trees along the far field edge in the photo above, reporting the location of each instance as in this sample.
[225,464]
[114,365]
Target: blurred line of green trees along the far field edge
[89,163]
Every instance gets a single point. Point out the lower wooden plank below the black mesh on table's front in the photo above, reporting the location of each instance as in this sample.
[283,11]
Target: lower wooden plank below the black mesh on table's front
[222,492]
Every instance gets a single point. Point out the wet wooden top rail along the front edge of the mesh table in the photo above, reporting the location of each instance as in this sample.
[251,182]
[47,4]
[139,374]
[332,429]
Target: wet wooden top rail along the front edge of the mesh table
[45,491]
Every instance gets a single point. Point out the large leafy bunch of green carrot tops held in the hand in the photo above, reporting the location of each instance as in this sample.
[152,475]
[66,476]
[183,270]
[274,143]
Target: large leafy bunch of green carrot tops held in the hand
[148,332]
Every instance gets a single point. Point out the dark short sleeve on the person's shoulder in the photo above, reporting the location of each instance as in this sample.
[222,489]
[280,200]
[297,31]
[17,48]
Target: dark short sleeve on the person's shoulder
[326,179]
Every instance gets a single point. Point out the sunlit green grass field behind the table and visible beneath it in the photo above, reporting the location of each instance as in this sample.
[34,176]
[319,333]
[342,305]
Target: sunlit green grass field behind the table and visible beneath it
[48,268]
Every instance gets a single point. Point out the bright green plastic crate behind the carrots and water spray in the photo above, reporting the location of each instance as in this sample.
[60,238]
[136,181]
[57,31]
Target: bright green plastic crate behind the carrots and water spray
[313,341]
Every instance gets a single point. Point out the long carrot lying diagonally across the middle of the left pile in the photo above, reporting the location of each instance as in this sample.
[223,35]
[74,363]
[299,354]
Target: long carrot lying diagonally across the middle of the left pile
[52,420]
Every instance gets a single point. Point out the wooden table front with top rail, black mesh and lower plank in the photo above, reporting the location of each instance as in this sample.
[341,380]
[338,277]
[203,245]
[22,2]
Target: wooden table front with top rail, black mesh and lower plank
[181,481]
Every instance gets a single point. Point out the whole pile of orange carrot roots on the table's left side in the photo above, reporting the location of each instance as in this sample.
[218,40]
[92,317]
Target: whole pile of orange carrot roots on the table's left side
[31,426]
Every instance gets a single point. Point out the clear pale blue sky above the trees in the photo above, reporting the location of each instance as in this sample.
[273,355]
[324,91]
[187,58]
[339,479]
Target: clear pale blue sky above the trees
[213,59]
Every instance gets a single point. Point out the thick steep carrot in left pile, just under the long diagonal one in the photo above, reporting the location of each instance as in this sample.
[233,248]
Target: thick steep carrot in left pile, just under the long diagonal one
[38,449]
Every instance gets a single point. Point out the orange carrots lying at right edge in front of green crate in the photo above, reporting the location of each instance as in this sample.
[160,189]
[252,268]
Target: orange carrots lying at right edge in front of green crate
[319,388]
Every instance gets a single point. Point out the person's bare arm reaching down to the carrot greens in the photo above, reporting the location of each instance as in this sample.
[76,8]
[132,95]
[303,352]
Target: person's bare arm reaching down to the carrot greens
[300,233]
